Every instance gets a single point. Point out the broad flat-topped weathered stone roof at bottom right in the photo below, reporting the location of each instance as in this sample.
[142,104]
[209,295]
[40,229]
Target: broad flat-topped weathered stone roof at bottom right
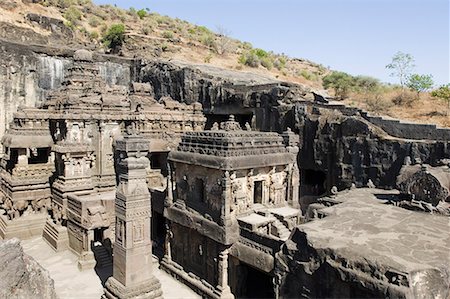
[365,248]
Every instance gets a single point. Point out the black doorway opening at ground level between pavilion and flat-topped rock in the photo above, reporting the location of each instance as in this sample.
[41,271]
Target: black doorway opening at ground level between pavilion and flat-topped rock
[252,283]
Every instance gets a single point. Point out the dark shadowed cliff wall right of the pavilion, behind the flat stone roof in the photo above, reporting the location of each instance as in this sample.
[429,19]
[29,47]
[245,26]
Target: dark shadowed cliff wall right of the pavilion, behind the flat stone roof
[350,149]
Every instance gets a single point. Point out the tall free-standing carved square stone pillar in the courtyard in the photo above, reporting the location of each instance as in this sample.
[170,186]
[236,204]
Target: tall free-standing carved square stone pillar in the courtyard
[132,270]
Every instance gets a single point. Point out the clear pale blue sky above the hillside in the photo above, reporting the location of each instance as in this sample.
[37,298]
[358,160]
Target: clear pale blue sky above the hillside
[356,36]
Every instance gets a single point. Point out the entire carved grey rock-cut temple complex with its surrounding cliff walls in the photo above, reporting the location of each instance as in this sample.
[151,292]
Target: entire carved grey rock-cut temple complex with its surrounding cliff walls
[241,186]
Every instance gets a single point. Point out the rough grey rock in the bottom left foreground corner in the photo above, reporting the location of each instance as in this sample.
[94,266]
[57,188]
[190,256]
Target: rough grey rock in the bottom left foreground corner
[21,276]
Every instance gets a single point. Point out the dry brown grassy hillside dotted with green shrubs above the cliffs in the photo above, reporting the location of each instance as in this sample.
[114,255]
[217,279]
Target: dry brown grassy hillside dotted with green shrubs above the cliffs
[80,23]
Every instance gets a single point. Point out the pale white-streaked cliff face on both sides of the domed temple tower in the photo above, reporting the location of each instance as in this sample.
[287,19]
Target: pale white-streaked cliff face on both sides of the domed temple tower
[29,73]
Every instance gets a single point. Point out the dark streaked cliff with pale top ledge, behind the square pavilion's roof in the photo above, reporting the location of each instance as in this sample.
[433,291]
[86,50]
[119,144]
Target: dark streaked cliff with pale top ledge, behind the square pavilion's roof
[250,97]
